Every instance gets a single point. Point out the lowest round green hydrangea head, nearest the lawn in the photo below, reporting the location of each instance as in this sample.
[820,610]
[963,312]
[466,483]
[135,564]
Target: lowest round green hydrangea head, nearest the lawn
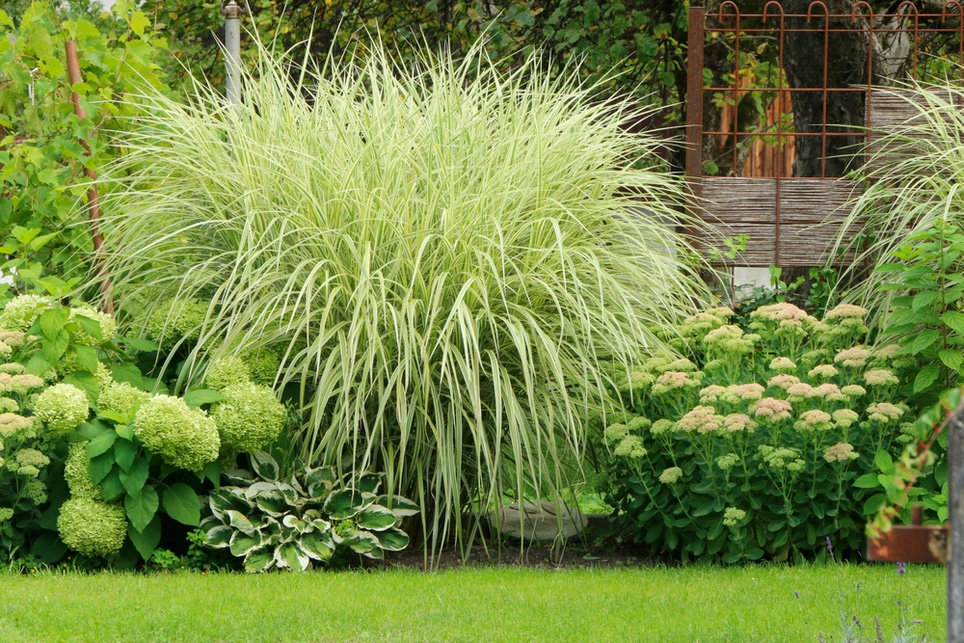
[91,527]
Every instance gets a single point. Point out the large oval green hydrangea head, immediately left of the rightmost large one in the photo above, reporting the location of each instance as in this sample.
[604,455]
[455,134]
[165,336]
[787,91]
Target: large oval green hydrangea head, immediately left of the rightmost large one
[184,437]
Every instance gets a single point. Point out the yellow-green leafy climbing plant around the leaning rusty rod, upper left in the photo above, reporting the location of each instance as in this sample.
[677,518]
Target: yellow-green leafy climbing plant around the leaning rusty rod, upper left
[42,184]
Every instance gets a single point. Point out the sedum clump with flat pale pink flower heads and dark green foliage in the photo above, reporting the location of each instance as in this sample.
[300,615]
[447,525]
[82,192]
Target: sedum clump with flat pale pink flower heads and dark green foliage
[754,452]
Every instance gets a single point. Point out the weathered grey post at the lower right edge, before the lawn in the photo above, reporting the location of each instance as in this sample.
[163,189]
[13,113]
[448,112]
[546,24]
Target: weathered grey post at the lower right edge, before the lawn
[955,503]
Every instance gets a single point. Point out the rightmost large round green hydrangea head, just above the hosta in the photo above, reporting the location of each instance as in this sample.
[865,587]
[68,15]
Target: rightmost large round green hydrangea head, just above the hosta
[249,417]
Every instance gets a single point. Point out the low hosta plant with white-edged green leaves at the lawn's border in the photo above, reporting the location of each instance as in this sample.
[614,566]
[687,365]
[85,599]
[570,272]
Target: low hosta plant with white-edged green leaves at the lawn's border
[273,521]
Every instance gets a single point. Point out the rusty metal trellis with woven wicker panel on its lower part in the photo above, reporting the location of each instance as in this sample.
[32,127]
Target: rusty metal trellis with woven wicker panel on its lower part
[755,191]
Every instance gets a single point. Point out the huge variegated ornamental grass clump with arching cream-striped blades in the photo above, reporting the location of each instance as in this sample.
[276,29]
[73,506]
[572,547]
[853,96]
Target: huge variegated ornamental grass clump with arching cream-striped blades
[447,257]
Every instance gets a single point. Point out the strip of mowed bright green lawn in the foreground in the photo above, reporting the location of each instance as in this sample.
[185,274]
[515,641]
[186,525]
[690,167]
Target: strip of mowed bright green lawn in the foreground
[474,604]
